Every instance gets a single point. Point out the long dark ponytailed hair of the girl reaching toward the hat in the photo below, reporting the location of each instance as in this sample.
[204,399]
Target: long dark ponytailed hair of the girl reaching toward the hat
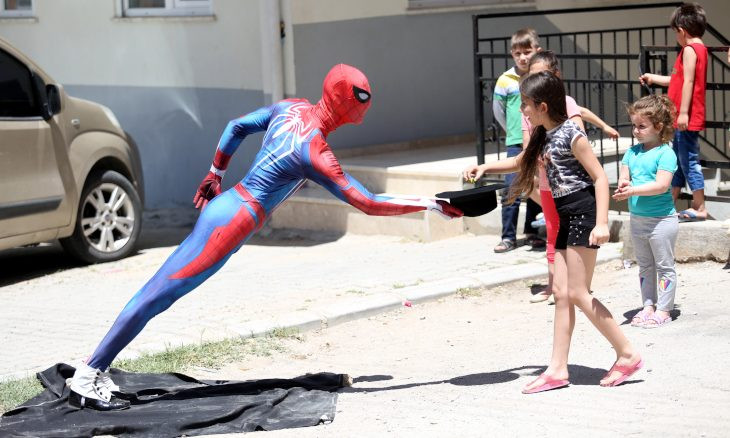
[542,87]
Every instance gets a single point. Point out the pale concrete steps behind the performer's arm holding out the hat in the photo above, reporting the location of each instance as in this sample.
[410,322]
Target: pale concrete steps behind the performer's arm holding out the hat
[422,172]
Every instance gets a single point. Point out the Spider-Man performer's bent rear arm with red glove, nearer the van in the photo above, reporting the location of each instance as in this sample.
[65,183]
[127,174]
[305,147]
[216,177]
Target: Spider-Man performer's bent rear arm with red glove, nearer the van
[232,137]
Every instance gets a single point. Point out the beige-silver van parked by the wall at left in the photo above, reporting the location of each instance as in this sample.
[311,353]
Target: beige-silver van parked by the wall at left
[68,170]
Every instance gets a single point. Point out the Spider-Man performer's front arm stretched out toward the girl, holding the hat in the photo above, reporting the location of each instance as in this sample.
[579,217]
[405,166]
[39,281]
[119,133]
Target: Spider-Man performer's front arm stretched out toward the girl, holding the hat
[322,167]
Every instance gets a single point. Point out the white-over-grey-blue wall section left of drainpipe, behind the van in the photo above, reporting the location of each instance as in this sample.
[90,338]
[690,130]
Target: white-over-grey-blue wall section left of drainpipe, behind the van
[174,83]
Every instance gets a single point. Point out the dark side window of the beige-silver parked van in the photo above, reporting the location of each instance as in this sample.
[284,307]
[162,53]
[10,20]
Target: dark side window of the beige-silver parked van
[17,98]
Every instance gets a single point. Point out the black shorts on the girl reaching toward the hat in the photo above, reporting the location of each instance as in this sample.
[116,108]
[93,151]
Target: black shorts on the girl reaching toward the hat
[577,212]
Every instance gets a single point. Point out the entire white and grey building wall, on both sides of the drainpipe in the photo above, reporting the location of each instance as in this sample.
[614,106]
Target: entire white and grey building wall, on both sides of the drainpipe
[175,82]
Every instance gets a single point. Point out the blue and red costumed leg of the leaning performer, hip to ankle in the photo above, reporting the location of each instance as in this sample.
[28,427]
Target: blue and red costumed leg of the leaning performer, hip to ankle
[223,226]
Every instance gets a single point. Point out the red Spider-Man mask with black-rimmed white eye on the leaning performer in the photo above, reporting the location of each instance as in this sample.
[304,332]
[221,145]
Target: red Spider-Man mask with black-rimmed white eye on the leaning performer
[345,95]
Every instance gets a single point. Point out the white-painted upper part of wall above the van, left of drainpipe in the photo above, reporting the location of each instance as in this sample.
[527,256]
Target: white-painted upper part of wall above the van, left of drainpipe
[82,42]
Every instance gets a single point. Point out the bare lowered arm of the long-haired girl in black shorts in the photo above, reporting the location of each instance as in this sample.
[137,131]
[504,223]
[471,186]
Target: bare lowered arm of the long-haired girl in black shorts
[584,153]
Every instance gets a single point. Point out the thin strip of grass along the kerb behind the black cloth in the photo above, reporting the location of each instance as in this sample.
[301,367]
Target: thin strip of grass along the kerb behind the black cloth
[172,360]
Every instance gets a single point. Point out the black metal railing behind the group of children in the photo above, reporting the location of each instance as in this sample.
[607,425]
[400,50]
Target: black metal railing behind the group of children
[600,69]
